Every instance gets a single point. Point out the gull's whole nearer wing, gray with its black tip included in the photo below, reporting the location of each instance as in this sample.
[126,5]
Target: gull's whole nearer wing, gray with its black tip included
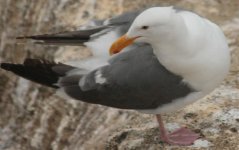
[134,79]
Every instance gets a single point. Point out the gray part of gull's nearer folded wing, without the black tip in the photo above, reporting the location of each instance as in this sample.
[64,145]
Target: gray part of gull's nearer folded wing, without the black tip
[133,80]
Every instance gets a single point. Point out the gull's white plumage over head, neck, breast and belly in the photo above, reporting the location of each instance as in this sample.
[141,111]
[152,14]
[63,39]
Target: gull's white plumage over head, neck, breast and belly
[187,45]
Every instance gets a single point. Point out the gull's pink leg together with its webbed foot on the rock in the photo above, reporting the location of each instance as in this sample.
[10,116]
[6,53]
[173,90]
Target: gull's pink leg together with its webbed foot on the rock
[181,136]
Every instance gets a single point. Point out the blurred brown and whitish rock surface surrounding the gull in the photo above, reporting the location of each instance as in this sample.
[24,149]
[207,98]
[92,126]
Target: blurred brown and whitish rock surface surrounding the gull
[32,117]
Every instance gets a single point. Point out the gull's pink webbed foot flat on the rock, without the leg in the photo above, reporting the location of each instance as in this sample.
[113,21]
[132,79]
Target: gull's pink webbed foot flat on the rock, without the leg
[181,136]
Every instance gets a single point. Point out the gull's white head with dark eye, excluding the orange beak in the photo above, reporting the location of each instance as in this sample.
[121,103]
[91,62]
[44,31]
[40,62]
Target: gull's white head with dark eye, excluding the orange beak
[152,22]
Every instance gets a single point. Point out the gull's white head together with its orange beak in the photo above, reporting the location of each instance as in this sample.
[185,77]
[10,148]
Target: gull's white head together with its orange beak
[153,25]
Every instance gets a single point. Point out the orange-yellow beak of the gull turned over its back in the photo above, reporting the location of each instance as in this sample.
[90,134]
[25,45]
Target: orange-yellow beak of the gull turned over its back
[121,43]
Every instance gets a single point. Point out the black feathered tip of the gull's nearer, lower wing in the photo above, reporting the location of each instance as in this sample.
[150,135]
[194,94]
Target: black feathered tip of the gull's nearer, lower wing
[39,71]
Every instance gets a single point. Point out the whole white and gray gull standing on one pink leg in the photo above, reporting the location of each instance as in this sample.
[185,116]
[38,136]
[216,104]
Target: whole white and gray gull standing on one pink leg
[155,61]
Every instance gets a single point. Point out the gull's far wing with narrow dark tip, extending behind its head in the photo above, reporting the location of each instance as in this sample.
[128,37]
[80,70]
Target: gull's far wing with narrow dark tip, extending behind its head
[92,30]
